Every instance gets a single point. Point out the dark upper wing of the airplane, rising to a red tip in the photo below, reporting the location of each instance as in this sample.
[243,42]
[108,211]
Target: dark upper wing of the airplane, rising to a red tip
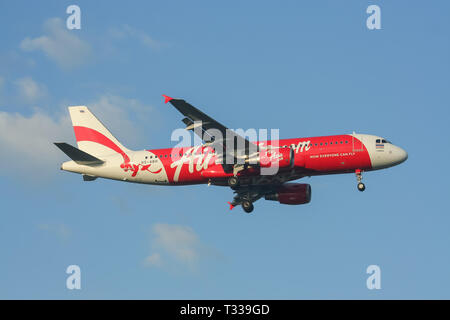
[238,146]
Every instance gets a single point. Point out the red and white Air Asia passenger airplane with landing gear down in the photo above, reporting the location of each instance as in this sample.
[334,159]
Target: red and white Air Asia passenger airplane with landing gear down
[101,155]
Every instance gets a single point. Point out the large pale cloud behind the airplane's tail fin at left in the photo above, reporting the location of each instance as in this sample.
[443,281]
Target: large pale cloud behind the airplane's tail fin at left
[26,142]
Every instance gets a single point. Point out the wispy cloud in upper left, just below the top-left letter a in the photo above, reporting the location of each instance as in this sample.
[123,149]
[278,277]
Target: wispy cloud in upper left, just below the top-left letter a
[59,44]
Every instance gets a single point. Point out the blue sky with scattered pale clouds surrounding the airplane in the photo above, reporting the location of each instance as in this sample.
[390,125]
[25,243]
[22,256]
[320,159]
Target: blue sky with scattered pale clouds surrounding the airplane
[306,67]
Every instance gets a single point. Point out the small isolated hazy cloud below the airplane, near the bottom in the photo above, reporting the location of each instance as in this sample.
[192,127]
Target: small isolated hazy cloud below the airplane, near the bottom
[178,242]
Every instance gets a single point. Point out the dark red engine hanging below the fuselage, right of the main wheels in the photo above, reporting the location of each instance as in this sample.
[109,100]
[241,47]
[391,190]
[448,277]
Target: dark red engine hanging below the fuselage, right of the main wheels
[291,193]
